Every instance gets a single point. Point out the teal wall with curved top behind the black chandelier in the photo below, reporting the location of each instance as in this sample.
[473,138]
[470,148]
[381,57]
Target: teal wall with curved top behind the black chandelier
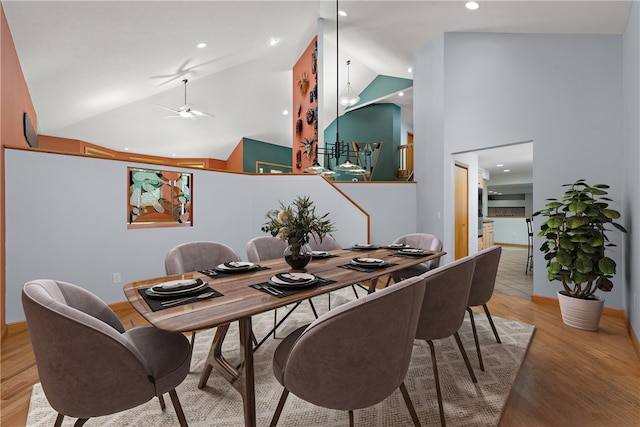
[373,123]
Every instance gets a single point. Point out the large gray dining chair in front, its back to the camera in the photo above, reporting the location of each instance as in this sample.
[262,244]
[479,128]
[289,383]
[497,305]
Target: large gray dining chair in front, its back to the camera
[353,357]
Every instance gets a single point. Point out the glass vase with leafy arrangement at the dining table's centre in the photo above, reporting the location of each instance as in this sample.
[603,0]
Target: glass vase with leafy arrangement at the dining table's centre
[295,224]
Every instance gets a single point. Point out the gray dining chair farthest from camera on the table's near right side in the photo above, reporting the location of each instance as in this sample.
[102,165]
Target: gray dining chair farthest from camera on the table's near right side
[482,285]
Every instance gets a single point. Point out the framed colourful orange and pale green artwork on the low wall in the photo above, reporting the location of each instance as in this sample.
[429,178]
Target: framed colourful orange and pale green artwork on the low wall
[159,198]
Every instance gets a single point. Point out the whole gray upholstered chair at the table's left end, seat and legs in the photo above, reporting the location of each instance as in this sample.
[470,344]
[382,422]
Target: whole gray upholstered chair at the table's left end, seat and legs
[89,366]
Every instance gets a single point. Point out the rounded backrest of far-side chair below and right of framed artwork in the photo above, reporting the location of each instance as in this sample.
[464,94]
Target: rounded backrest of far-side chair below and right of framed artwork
[194,256]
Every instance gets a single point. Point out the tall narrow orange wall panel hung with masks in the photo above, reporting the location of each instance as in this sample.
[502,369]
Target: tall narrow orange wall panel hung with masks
[304,65]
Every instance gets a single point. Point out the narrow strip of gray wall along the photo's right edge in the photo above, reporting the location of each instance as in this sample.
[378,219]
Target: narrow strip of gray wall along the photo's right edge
[631,98]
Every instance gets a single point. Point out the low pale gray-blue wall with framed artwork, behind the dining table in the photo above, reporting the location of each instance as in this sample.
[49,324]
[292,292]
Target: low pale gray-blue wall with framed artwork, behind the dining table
[66,219]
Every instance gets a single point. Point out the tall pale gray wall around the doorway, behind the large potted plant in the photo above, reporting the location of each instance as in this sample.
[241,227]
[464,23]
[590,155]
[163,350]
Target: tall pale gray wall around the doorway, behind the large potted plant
[479,90]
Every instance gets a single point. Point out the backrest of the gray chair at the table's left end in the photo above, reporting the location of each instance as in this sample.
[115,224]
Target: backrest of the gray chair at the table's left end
[87,367]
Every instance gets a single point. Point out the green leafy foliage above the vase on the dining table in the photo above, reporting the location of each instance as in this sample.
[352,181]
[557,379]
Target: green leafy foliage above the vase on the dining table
[297,222]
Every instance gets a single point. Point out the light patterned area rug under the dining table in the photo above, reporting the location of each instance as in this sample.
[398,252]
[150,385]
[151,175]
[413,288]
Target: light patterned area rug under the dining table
[219,405]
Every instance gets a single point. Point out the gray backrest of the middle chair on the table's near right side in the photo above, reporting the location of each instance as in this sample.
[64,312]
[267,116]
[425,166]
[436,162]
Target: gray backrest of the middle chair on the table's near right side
[445,300]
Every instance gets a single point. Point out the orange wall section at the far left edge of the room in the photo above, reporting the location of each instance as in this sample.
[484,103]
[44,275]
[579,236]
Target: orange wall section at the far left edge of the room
[14,100]
